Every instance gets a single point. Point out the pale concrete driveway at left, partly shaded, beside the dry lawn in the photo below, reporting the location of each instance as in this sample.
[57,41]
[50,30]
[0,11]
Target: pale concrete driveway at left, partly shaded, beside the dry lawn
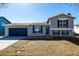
[6,41]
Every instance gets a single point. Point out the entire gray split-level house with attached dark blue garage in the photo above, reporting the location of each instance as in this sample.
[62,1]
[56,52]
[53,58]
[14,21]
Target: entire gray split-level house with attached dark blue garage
[61,25]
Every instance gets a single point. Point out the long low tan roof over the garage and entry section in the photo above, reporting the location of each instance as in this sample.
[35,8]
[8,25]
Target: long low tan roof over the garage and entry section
[26,24]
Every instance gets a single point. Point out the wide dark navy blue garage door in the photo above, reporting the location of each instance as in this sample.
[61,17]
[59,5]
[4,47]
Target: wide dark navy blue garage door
[17,31]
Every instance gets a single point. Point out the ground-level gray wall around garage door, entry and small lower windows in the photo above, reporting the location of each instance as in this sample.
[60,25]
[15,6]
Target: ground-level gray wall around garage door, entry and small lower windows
[30,31]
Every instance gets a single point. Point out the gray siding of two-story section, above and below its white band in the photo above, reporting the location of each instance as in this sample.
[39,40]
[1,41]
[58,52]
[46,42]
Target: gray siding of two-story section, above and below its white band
[53,24]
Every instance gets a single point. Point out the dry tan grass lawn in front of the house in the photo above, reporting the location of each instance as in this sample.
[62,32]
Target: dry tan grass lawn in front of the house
[41,48]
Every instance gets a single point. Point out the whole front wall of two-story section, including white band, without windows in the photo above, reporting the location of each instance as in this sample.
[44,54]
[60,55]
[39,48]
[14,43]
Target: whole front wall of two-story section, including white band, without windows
[53,25]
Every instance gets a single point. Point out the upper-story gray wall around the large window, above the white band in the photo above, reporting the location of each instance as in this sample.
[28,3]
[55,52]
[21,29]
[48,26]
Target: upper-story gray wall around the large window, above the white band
[53,21]
